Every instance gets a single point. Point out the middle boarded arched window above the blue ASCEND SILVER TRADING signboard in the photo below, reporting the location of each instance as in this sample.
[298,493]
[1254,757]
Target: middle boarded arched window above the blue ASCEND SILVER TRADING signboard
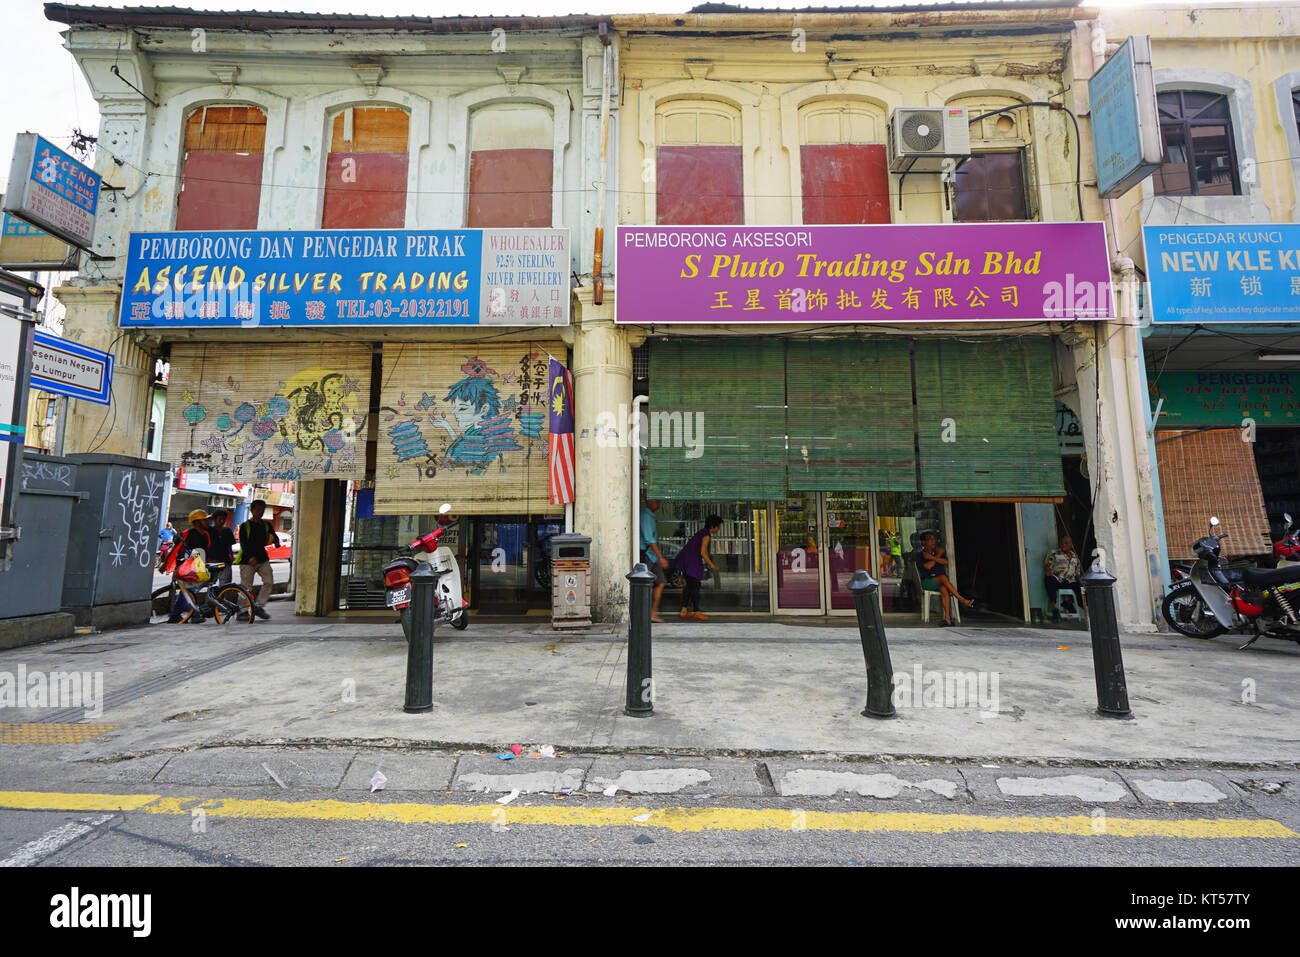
[366,172]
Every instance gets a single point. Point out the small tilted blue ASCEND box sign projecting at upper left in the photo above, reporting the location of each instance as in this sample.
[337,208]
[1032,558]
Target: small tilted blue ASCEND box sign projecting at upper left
[51,190]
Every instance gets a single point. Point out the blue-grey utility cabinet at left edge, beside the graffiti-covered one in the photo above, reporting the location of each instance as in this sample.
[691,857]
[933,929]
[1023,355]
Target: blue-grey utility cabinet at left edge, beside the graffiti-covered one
[33,584]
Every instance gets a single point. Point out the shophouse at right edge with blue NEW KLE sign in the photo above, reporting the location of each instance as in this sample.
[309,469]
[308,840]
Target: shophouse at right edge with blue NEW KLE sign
[1216,335]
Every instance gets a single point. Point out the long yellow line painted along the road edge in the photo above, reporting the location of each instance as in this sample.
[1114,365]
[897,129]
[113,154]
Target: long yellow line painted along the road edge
[681,820]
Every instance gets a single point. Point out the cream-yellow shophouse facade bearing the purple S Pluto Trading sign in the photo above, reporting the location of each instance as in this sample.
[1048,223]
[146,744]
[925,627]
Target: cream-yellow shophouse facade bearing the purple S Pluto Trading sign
[834,440]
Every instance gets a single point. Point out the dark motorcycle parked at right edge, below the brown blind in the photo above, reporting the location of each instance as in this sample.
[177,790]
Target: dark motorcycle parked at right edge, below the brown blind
[1211,603]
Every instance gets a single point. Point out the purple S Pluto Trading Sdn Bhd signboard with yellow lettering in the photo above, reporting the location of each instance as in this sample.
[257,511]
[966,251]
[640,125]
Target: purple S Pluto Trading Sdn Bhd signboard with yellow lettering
[889,274]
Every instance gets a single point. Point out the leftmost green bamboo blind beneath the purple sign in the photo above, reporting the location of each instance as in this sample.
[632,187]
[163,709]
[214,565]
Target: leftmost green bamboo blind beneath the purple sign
[717,421]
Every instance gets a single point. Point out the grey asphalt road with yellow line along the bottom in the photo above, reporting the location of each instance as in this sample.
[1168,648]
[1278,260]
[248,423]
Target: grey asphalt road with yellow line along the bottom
[50,816]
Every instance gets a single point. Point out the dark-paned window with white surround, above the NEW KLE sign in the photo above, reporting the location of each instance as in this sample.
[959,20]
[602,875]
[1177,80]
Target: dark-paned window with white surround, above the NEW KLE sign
[1201,158]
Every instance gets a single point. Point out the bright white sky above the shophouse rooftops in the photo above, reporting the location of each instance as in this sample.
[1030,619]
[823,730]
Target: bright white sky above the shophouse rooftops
[47,94]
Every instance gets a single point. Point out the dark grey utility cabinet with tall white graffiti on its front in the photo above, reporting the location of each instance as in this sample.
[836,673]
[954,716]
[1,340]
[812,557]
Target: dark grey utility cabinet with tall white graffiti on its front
[114,542]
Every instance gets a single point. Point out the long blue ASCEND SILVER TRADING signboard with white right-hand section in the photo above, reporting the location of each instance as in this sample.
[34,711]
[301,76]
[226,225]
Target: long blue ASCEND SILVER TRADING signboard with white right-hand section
[348,278]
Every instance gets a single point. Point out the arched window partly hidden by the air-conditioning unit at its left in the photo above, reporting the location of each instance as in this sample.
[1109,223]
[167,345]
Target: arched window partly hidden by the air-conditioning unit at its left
[994,184]
